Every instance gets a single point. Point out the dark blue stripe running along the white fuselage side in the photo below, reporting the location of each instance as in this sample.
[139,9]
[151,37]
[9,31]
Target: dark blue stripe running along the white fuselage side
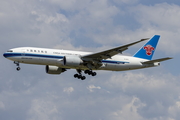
[53,56]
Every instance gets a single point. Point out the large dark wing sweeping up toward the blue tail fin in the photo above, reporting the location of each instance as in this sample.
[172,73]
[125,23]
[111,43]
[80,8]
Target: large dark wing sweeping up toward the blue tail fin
[111,52]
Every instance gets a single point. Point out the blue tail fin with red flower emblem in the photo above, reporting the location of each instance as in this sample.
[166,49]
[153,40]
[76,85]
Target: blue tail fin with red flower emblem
[147,51]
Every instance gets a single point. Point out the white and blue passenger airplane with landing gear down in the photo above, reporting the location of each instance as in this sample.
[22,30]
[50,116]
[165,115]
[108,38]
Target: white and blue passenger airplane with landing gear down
[58,61]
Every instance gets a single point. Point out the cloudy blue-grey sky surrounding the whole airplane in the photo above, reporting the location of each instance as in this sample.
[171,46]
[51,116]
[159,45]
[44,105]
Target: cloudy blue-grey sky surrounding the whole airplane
[90,25]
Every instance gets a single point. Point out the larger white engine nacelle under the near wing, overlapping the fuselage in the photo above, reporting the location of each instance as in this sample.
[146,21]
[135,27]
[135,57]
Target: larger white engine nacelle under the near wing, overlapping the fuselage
[72,61]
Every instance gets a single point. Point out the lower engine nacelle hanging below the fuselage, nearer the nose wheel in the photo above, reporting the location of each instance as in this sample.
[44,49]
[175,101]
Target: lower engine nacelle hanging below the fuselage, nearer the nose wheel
[54,69]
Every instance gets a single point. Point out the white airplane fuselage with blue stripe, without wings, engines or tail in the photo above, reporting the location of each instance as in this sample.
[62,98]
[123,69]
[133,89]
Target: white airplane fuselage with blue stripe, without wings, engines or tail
[42,56]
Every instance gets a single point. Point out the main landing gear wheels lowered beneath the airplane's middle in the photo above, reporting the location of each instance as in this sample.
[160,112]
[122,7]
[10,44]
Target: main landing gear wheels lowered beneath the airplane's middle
[80,76]
